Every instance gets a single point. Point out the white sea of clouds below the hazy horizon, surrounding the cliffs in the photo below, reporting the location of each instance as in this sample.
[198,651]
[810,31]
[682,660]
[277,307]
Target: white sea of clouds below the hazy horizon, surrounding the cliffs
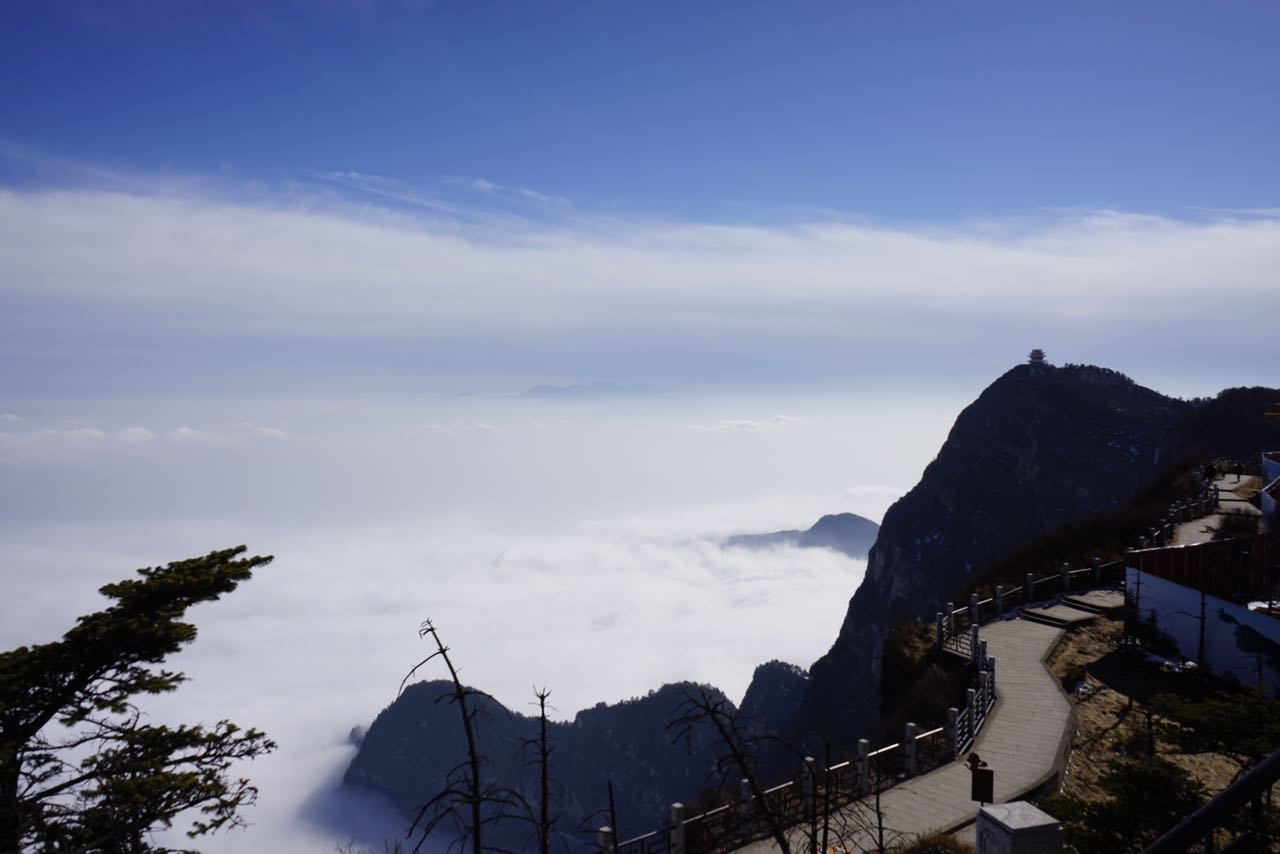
[575,546]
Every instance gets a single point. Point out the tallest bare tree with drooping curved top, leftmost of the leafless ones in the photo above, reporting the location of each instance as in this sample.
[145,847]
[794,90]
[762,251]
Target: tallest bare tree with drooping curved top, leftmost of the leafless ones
[465,800]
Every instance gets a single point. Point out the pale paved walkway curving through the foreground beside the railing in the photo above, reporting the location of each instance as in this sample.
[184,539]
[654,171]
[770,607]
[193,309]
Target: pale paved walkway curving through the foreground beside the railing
[1025,742]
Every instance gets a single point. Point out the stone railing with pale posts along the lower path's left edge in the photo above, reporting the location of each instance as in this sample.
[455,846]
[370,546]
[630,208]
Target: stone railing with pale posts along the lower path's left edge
[821,791]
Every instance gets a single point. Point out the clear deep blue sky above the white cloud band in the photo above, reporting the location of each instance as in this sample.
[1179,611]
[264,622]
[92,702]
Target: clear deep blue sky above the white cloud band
[904,111]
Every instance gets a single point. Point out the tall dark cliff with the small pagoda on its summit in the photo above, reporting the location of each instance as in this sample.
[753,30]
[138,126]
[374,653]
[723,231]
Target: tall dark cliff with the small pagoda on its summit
[1040,447]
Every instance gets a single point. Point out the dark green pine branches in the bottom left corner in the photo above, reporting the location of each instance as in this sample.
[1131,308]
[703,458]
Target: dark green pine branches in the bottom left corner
[80,768]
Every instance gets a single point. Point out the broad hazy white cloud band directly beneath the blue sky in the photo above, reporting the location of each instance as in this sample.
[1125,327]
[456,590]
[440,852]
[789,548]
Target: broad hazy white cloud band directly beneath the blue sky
[186,281]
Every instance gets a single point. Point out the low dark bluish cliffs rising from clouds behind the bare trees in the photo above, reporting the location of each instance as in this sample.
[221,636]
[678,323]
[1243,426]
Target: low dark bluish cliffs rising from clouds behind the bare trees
[412,747]
